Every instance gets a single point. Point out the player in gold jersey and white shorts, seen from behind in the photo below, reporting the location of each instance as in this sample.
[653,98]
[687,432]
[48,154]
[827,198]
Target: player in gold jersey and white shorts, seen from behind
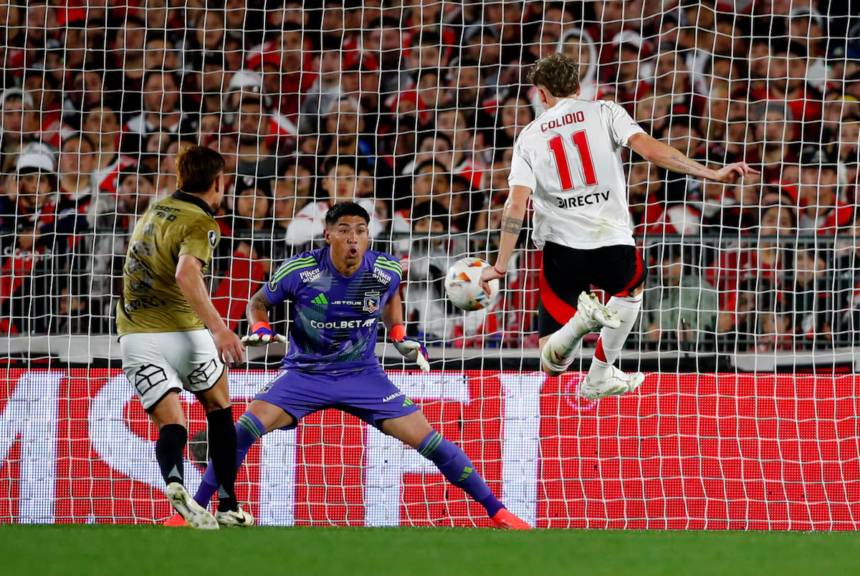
[172,337]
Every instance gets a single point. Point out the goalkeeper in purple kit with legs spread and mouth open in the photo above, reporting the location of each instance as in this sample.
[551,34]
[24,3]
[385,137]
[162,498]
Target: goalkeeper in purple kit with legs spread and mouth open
[339,294]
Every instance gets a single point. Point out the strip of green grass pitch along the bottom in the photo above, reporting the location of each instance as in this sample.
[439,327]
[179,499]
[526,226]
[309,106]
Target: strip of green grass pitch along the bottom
[144,550]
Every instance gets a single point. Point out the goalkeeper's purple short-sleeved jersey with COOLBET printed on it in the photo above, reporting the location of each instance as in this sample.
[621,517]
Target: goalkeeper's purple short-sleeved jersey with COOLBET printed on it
[335,317]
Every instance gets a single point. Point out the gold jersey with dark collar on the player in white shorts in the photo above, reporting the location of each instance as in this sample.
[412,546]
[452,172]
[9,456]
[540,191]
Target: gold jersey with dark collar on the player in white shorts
[151,299]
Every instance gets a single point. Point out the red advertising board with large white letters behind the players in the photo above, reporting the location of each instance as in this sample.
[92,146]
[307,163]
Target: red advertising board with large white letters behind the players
[687,451]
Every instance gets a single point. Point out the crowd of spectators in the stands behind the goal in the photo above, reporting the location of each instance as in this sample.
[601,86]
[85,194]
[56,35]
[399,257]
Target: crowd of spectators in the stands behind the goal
[411,107]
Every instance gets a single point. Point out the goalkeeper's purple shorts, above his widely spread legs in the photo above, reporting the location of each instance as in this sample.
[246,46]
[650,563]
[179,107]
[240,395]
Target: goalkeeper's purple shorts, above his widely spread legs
[367,394]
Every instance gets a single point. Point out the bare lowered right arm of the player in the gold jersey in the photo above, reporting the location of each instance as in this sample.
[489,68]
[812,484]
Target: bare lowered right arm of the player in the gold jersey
[189,277]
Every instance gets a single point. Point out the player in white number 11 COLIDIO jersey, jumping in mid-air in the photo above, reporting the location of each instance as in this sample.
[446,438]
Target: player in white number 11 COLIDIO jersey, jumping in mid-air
[569,161]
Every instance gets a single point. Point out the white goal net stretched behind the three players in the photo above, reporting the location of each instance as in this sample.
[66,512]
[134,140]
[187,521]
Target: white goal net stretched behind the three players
[748,415]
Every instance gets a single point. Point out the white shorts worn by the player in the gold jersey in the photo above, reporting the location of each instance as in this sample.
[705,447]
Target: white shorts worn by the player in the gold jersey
[157,363]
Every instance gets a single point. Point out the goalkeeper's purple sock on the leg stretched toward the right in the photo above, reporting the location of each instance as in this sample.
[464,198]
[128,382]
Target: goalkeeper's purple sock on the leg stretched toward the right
[459,470]
